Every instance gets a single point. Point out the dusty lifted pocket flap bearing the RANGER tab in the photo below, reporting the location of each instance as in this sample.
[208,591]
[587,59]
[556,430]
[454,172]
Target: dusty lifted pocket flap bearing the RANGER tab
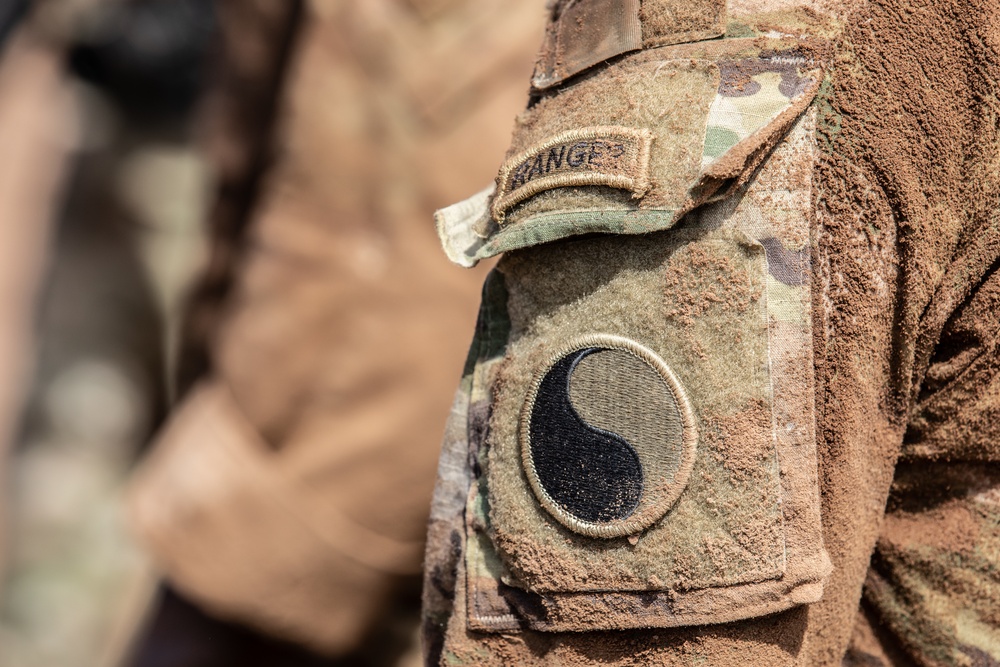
[634,147]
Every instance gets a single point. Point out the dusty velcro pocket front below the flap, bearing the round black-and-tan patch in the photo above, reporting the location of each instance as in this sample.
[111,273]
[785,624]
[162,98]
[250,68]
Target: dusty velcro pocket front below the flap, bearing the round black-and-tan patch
[650,456]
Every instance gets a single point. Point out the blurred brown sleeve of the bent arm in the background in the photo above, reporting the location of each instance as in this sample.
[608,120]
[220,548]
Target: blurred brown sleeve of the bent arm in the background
[290,490]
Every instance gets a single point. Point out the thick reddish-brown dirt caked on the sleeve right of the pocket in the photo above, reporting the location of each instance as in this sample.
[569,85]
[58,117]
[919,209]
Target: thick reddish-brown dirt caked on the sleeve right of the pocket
[905,196]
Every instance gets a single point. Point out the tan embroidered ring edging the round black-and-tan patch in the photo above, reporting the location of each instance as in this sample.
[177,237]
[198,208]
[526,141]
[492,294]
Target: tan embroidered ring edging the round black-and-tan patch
[647,513]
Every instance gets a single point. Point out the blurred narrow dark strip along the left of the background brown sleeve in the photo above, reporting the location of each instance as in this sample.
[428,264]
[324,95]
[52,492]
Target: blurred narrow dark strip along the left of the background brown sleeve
[241,112]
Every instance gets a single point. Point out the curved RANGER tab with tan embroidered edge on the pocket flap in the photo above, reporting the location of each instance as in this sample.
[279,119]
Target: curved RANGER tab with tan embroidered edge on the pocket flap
[551,165]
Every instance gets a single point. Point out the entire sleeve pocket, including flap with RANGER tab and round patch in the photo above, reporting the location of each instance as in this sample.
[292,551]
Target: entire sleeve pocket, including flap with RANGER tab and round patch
[650,457]
